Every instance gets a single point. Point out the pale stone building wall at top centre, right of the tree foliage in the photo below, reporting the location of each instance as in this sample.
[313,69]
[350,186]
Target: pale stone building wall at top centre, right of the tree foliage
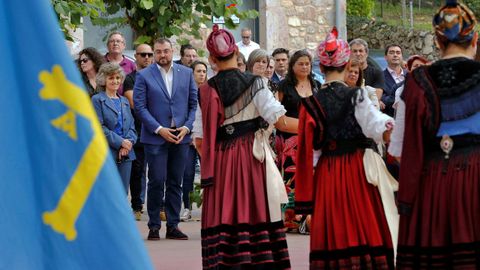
[295,24]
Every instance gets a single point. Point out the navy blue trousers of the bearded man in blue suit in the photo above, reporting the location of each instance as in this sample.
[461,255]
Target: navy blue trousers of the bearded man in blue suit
[166,165]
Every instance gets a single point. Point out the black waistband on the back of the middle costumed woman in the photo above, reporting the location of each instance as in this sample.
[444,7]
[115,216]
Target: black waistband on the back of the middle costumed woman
[340,147]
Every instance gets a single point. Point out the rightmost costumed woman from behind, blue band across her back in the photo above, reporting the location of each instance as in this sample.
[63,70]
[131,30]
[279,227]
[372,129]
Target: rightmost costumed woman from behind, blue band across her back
[438,197]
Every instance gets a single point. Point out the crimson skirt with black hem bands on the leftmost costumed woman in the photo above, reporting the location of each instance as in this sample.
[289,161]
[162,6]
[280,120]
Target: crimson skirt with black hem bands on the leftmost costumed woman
[236,228]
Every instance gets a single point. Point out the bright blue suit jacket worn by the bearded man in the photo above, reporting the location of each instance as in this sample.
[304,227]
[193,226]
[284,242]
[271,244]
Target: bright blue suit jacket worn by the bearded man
[155,107]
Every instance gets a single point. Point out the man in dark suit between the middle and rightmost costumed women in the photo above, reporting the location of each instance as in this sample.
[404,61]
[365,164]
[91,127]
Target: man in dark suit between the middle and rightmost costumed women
[394,76]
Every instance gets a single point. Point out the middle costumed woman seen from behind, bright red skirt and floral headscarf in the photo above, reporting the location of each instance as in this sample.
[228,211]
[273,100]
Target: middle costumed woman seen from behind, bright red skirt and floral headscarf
[350,225]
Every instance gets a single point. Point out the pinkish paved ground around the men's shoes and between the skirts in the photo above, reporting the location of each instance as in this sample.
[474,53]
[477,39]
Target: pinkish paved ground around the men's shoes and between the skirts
[186,255]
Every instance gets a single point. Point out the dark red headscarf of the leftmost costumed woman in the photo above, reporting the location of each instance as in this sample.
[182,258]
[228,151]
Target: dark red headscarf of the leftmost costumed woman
[220,42]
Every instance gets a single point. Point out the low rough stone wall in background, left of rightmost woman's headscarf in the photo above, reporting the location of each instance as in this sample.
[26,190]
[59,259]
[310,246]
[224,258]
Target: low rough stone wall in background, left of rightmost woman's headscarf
[379,35]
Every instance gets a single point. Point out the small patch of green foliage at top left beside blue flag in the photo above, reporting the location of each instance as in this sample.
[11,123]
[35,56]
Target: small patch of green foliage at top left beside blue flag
[70,13]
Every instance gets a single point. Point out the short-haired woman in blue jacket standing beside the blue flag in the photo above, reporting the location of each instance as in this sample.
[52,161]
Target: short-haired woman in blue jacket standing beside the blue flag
[116,119]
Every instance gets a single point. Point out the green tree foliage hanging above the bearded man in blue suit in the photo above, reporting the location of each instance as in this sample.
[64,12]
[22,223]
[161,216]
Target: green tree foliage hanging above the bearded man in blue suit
[151,19]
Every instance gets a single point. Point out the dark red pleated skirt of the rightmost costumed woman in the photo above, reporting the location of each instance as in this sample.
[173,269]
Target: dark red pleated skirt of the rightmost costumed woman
[443,230]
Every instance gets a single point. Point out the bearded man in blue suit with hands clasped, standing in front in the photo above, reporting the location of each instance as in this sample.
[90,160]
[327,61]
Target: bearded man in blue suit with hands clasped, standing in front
[165,98]
